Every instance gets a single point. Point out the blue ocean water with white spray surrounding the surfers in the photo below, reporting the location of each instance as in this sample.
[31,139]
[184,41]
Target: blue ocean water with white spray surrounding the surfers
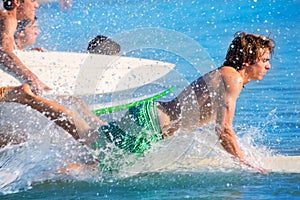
[195,36]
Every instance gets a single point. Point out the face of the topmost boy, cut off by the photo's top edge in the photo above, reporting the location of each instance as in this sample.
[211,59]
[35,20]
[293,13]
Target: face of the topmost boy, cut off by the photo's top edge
[27,9]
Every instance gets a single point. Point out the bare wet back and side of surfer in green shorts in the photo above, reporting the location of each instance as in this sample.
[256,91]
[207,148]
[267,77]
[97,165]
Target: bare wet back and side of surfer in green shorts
[197,104]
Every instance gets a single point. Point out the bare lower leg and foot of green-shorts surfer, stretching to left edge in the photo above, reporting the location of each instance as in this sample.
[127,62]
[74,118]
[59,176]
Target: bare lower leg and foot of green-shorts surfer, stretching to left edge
[65,118]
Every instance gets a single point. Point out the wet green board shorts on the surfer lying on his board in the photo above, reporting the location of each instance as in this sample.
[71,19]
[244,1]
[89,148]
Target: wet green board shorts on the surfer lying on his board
[134,132]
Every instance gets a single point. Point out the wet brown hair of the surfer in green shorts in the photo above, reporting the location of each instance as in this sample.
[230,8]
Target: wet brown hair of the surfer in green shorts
[245,48]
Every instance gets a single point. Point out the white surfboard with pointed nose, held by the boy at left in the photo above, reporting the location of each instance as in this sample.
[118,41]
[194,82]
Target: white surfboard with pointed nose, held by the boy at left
[85,74]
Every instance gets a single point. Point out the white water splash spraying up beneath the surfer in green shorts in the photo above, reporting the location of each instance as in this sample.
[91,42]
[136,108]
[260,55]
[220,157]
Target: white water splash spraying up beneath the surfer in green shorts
[49,153]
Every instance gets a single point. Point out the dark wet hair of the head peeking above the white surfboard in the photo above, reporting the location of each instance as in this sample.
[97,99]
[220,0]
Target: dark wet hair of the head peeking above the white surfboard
[103,45]
